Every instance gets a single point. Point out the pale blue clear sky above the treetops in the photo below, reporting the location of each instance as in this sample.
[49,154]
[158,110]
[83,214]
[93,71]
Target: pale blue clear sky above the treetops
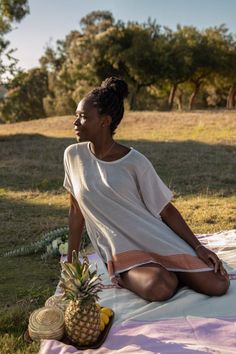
[50,20]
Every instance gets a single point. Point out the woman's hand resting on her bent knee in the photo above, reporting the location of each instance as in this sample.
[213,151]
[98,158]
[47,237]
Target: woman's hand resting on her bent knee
[211,259]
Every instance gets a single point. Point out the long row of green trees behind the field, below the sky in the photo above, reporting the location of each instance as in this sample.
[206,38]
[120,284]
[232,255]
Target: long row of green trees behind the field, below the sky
[163,68]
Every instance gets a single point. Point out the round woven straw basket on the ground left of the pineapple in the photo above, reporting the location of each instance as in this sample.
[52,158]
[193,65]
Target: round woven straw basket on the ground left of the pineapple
[46,323]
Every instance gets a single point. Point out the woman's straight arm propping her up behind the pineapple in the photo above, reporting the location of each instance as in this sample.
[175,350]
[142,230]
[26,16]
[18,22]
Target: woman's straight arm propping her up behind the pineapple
[76,225]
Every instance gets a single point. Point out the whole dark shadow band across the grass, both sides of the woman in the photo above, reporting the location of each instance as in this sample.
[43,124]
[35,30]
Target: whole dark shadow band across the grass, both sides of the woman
[35,162]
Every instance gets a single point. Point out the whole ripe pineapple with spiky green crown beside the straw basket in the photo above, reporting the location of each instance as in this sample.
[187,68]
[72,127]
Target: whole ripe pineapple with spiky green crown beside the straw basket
[80,285]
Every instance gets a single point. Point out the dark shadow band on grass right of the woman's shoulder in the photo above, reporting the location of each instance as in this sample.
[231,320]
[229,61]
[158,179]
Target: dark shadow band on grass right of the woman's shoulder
[191,167]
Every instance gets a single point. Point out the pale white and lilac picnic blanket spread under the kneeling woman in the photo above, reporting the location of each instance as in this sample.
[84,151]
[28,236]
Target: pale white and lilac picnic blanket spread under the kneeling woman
[187,323]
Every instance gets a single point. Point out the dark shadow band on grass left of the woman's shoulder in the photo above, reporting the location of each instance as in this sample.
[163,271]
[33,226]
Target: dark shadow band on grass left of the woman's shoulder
[32,162]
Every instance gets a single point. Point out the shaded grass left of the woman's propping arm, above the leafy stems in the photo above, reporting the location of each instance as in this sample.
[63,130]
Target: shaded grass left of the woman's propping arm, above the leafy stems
[23,221]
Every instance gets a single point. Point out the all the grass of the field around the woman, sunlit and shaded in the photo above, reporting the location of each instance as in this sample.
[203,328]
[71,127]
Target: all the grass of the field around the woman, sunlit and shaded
[194,153]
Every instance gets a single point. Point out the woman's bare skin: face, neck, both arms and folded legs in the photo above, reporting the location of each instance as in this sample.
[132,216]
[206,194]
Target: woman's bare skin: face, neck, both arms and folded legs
[150,281]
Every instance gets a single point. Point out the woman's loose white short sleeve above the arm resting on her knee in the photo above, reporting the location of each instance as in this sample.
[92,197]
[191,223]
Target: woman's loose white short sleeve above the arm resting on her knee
[155,194]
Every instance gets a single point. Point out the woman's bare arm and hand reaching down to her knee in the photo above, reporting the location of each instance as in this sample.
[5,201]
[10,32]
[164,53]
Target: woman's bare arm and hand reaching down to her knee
[171,216]
